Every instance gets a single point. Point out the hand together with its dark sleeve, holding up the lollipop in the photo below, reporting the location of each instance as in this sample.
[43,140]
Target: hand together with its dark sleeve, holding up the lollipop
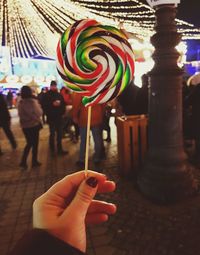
[61,214]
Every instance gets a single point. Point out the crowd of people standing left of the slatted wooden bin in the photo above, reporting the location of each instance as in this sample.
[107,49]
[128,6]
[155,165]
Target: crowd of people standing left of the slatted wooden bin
[64,113]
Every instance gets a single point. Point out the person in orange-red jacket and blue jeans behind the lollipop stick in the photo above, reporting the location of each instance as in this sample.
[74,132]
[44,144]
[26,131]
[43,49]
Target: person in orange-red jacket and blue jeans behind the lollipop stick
[80,116]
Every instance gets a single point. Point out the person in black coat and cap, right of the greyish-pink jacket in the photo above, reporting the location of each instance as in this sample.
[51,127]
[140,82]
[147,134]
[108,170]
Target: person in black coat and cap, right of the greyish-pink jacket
[54,108]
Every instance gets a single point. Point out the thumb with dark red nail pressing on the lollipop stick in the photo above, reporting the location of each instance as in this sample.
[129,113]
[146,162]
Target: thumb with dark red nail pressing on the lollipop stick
[83,197]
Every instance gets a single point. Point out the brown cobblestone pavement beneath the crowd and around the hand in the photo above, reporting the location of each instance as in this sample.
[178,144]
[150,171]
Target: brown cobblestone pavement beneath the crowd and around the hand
[138,228]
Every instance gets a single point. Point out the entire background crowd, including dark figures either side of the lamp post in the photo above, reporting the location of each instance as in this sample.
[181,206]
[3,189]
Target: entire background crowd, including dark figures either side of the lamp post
[65,114]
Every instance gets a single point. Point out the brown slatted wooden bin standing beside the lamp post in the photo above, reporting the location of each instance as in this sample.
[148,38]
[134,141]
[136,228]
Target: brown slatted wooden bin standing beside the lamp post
[132,142]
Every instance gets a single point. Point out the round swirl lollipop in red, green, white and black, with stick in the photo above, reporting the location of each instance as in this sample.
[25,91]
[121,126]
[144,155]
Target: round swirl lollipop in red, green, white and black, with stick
[96,61]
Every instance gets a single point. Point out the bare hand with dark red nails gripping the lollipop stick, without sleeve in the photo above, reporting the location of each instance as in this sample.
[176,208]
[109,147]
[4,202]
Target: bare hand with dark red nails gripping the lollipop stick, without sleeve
[68,205]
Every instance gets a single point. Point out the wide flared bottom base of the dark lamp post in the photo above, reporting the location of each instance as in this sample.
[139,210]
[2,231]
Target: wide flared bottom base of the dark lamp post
[165,185]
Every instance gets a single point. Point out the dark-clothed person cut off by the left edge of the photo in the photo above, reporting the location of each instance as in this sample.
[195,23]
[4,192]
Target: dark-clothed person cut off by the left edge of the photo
[5,121]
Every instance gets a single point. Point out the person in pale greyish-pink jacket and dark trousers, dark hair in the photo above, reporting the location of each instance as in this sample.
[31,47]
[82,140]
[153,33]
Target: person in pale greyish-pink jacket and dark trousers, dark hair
[30,112]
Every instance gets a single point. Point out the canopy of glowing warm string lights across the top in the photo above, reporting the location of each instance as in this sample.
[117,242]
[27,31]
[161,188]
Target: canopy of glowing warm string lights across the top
[32,27]
